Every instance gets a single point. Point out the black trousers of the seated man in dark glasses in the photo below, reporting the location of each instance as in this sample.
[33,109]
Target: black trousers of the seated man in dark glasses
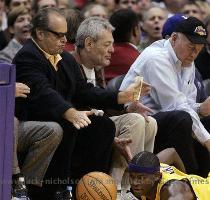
[82,151]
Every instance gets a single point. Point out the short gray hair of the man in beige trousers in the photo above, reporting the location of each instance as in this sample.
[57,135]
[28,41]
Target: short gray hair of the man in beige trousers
[91,27]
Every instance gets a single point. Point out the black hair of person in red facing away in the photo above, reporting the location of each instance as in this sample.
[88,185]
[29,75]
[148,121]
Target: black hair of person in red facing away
[124,21]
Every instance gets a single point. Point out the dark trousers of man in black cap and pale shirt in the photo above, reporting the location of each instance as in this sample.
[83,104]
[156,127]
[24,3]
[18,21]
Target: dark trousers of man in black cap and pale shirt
[175,130]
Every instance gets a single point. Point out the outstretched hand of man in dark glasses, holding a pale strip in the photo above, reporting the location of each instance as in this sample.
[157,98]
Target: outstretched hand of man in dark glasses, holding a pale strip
[130,94]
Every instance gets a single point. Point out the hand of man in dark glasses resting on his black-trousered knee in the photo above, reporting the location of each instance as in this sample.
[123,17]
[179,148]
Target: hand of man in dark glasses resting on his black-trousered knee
[78,118]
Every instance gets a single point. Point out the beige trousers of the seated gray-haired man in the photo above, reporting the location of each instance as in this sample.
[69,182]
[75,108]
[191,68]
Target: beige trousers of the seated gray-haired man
[142,133]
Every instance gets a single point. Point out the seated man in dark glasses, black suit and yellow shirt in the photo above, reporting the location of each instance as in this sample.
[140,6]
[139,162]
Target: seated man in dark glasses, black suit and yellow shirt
[59,92]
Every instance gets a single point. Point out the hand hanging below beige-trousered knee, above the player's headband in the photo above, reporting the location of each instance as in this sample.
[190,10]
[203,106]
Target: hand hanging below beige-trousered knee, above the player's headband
[122,145]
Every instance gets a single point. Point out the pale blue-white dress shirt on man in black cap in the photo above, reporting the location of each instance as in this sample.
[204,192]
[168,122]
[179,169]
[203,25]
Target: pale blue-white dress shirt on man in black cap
[172,86]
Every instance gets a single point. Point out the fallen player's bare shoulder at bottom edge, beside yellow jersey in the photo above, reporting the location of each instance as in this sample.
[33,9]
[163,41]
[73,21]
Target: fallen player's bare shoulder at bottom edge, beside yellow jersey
[177,190]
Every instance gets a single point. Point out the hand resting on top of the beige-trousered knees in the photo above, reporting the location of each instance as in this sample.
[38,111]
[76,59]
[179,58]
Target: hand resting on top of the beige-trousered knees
[137,107]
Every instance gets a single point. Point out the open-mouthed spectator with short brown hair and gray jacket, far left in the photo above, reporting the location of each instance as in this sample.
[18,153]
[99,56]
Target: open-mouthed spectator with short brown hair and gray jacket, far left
[19,22]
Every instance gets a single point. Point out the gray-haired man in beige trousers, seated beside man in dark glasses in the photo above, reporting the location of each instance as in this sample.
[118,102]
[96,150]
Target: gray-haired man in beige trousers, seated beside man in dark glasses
[95,51]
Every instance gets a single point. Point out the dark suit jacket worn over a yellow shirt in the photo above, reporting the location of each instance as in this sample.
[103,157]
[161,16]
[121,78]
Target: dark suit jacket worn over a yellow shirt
[53,92]
